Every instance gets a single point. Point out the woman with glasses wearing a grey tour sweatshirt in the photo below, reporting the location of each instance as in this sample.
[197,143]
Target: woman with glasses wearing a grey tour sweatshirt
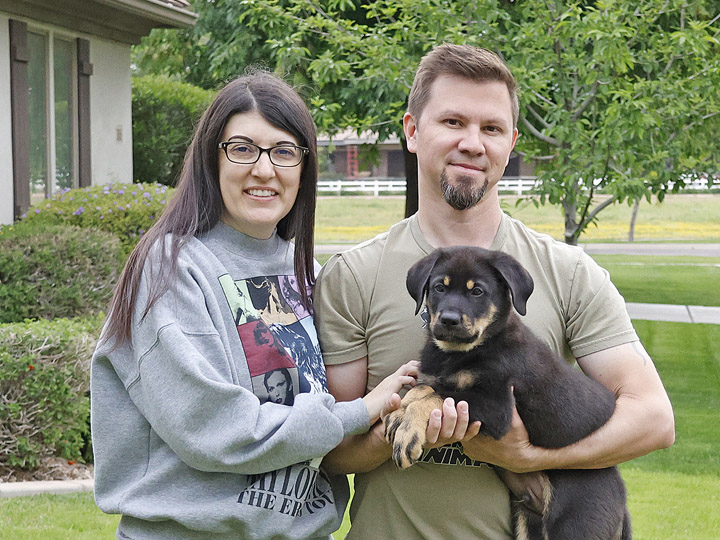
[191,440]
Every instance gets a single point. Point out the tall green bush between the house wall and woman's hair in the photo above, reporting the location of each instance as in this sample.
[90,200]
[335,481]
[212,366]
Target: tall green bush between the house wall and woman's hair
[164,116]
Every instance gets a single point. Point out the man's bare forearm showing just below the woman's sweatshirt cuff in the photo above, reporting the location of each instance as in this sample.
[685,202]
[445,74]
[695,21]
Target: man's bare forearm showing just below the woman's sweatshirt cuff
[359,453]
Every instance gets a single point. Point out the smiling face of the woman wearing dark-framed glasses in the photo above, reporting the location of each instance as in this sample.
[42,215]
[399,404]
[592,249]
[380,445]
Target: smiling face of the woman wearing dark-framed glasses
[256,196]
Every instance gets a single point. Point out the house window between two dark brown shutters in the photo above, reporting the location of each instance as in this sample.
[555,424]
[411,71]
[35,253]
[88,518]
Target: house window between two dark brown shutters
[52,108]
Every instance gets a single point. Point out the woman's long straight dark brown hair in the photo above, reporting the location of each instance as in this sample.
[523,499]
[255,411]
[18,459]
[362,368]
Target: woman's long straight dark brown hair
[197,204]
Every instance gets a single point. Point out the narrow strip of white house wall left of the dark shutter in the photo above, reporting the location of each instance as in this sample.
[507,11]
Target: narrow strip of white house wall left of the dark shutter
[6,170]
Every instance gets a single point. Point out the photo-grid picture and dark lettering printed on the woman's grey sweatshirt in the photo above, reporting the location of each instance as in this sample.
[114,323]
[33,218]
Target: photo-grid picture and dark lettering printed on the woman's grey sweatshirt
[283,354]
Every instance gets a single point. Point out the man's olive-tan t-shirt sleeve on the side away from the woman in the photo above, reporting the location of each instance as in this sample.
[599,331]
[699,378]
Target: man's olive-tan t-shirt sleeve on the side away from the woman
[597,318]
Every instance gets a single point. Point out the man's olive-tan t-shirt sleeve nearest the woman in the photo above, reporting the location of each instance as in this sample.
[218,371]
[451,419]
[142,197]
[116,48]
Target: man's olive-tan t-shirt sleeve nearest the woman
[340,313]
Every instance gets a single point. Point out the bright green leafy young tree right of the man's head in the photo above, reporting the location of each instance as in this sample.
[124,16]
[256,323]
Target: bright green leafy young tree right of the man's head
[617,97]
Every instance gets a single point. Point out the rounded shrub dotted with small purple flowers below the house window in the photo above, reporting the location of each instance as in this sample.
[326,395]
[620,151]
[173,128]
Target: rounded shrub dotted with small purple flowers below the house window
[126,210]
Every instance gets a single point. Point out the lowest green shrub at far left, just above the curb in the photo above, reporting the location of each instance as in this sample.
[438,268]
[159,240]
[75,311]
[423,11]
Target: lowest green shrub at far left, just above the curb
[44,387]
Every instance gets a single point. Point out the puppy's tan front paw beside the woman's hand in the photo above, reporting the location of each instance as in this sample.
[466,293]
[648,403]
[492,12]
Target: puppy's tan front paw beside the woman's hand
[405,428]
